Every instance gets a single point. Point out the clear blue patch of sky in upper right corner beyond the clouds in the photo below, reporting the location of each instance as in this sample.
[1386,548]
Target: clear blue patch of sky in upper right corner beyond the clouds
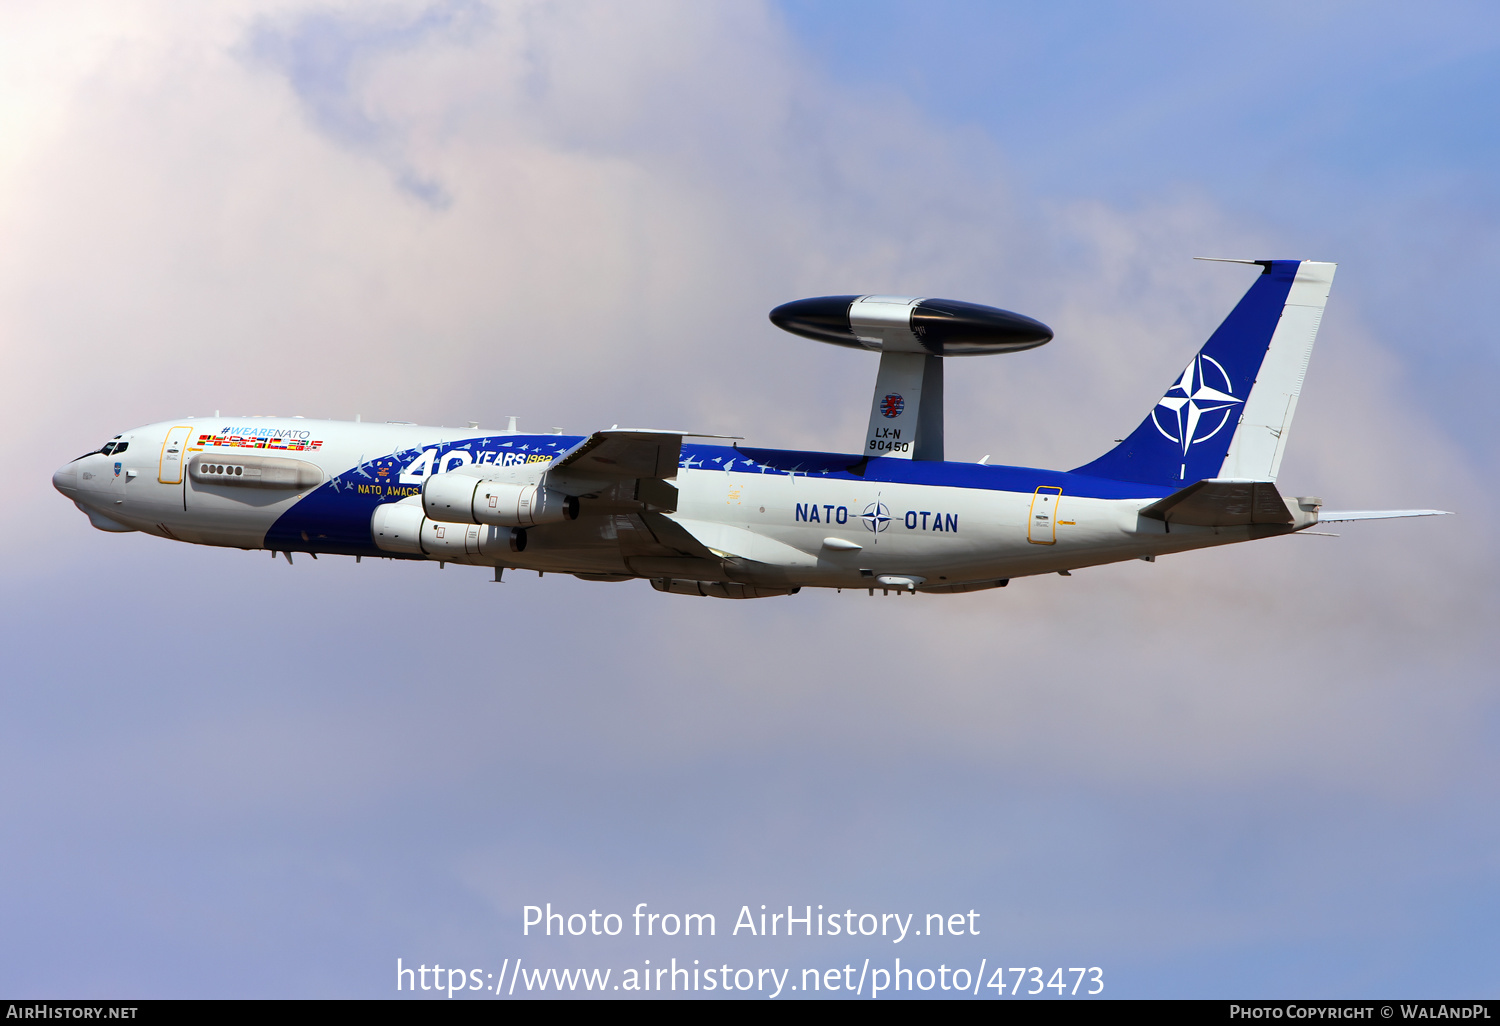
[1367,134]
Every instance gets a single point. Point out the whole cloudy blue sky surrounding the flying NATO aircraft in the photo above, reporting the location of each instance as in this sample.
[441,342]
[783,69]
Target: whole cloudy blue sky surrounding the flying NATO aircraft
[1252,772]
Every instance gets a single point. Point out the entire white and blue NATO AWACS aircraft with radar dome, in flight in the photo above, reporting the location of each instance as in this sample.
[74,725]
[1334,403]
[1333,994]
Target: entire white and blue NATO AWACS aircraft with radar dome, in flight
[739,523]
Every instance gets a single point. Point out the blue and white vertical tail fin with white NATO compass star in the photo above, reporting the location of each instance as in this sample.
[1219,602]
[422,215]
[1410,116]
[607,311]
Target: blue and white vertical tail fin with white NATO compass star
[1229,412]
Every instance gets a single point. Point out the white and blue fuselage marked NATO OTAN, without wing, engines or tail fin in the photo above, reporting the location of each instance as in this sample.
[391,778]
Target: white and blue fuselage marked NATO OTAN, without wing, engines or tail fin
[767,517]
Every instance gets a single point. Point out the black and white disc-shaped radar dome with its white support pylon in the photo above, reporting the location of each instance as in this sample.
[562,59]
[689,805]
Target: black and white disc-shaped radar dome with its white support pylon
[913,337]
